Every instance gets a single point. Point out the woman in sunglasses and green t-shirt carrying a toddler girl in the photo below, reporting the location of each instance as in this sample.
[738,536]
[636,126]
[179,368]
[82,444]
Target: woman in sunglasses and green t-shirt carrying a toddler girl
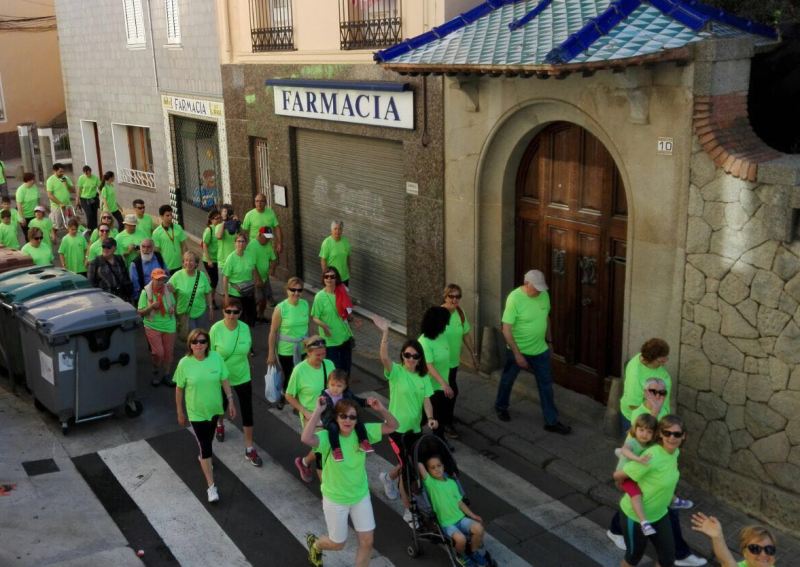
[657,479]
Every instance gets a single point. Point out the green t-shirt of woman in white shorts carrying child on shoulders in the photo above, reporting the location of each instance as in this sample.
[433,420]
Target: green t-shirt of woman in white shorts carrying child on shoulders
[345,482]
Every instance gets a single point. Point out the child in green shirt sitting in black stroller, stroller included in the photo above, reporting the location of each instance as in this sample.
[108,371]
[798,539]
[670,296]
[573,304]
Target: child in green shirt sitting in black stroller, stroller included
[440,496]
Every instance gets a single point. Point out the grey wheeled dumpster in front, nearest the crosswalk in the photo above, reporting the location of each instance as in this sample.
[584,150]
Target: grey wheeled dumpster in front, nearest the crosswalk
[79,349]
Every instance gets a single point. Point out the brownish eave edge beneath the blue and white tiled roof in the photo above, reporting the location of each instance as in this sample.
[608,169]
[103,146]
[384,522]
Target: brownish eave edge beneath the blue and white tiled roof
[678,55]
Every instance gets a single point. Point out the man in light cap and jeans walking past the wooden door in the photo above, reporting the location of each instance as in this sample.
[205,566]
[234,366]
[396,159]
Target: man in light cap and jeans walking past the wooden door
[525,329]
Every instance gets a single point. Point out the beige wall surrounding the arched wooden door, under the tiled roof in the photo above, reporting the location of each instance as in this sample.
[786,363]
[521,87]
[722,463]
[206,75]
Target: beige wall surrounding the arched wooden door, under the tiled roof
[488,124]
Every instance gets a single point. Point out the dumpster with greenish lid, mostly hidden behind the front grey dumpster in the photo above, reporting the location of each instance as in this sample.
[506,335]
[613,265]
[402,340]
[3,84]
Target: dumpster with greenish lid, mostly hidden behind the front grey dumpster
[22,285]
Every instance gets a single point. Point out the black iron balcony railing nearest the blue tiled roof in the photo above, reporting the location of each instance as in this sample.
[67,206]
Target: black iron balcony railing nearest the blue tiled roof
[364,24]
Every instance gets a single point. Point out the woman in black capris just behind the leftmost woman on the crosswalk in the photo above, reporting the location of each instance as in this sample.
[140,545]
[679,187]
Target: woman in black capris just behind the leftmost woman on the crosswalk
[232,340]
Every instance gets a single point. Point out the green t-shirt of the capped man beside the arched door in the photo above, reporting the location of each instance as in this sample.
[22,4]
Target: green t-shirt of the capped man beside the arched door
[528,317]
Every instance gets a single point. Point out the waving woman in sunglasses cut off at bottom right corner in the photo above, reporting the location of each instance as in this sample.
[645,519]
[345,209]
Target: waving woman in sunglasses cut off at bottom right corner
[756,543]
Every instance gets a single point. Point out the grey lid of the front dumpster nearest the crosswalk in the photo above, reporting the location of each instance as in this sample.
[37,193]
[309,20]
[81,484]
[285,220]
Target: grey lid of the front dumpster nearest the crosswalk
[75,311]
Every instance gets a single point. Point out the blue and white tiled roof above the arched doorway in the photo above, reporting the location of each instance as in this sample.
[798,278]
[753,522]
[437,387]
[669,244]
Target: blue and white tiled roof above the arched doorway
[556,32]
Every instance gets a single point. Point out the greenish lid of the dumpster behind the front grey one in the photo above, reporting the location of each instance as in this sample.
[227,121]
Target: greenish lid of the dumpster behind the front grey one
[20,285]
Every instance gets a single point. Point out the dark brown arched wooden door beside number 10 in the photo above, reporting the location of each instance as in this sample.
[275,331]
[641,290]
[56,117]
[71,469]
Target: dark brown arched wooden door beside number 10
[571,219]
